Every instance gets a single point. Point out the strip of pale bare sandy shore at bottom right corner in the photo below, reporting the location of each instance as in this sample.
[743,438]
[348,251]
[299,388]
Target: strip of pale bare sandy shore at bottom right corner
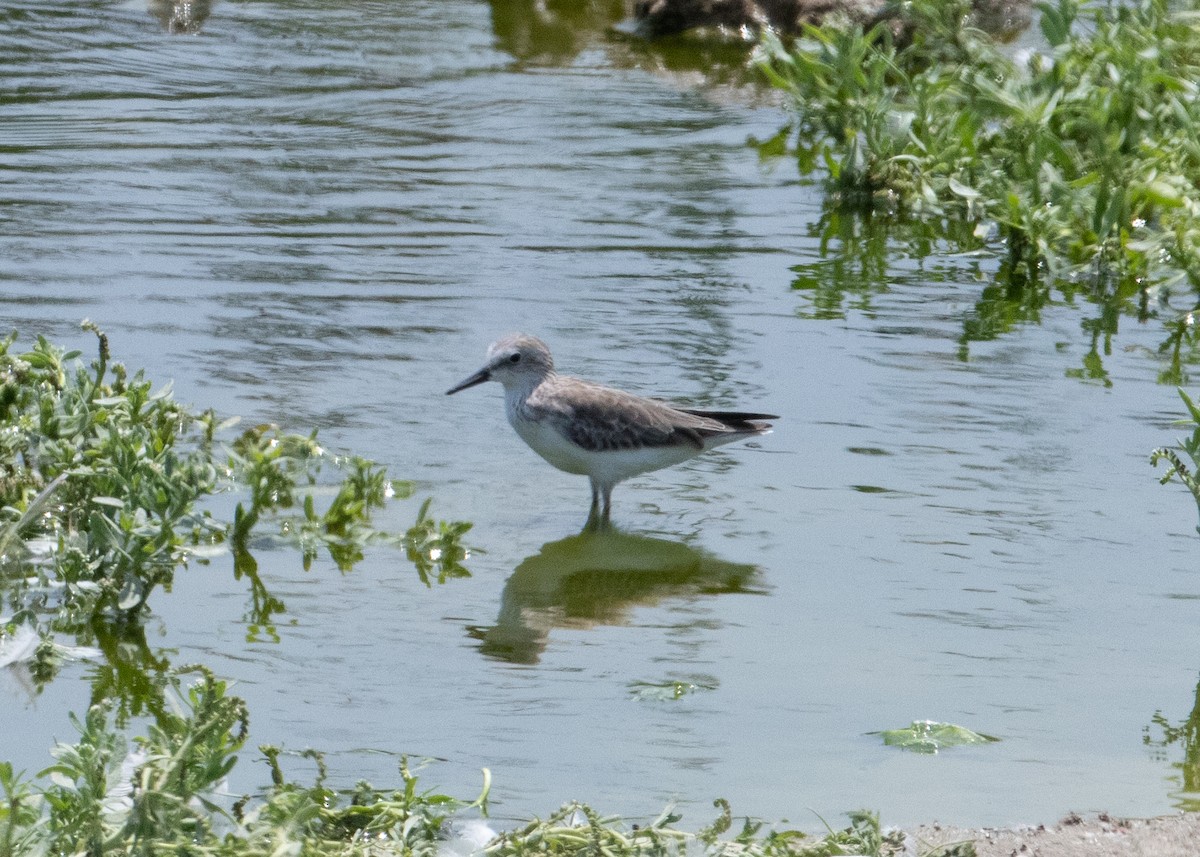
[1169,836]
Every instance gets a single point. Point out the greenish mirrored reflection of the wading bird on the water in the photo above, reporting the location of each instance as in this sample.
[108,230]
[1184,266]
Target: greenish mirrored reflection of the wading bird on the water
[597,579]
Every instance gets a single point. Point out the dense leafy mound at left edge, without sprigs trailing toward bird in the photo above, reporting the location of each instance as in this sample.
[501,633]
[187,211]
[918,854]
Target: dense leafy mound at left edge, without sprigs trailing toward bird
[100,481]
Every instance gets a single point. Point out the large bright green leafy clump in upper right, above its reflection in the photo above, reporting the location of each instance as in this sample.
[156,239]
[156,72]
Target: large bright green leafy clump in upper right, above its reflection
[1084,158]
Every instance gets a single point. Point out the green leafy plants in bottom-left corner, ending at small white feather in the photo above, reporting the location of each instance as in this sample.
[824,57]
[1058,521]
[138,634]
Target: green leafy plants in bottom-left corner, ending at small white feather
[167,794]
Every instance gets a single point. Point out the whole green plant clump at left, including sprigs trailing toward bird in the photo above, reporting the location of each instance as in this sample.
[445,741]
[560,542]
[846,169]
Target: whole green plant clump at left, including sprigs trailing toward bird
[106,494]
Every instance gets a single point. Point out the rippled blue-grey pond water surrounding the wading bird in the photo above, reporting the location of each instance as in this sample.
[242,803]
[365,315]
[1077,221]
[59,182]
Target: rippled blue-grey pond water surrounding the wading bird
[321,214]
